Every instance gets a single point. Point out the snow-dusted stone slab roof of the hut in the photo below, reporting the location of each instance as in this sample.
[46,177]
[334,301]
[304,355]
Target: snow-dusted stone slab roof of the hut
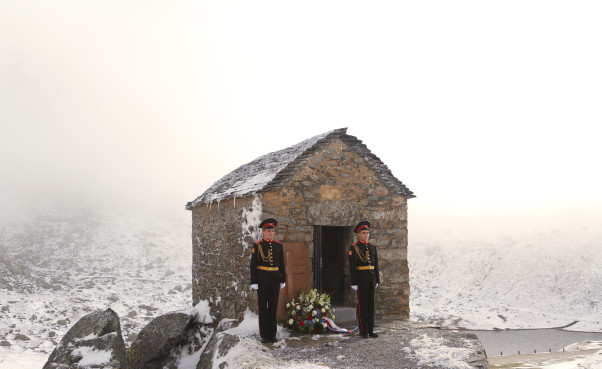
[270,171]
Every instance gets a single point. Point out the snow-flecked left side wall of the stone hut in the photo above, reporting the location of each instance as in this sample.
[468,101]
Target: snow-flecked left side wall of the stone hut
[222,237]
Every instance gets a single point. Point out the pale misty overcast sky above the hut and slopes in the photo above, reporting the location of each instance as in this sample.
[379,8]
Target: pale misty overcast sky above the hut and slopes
[488,111]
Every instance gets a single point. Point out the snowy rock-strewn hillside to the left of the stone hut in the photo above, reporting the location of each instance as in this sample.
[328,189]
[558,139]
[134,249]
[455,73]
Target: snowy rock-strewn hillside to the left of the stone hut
[72,258]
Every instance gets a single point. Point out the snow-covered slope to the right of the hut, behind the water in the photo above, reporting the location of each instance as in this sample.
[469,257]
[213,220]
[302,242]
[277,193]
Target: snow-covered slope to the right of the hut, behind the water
[539,280]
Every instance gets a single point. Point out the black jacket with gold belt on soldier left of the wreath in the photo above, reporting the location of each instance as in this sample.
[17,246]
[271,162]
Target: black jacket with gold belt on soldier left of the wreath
[268,256]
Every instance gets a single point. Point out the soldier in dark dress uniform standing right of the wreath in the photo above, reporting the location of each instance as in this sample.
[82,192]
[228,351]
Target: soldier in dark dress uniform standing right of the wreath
[363,270]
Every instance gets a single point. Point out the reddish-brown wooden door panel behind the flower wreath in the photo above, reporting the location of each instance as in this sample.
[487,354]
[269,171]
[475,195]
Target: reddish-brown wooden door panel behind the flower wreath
[298,274]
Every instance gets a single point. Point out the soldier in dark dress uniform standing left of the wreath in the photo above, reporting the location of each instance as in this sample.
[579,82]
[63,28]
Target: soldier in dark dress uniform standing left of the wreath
[268,276]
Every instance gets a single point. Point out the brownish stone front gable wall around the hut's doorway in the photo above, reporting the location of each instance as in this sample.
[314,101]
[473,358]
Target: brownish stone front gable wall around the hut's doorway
[336,188]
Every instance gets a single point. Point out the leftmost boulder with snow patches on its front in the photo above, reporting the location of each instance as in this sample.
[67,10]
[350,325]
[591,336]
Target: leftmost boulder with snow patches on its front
[93,342]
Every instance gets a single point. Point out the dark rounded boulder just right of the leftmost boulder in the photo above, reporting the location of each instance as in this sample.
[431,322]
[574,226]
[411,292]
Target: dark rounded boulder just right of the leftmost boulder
[154,347]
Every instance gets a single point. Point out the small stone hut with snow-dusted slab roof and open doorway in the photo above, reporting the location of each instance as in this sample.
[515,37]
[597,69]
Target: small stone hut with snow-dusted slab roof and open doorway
[318,190]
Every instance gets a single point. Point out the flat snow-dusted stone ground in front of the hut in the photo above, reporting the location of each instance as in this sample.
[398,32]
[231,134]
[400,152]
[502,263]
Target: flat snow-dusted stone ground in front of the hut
[401,344]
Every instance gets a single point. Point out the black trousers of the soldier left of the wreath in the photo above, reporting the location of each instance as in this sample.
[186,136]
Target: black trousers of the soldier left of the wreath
[267,301]
